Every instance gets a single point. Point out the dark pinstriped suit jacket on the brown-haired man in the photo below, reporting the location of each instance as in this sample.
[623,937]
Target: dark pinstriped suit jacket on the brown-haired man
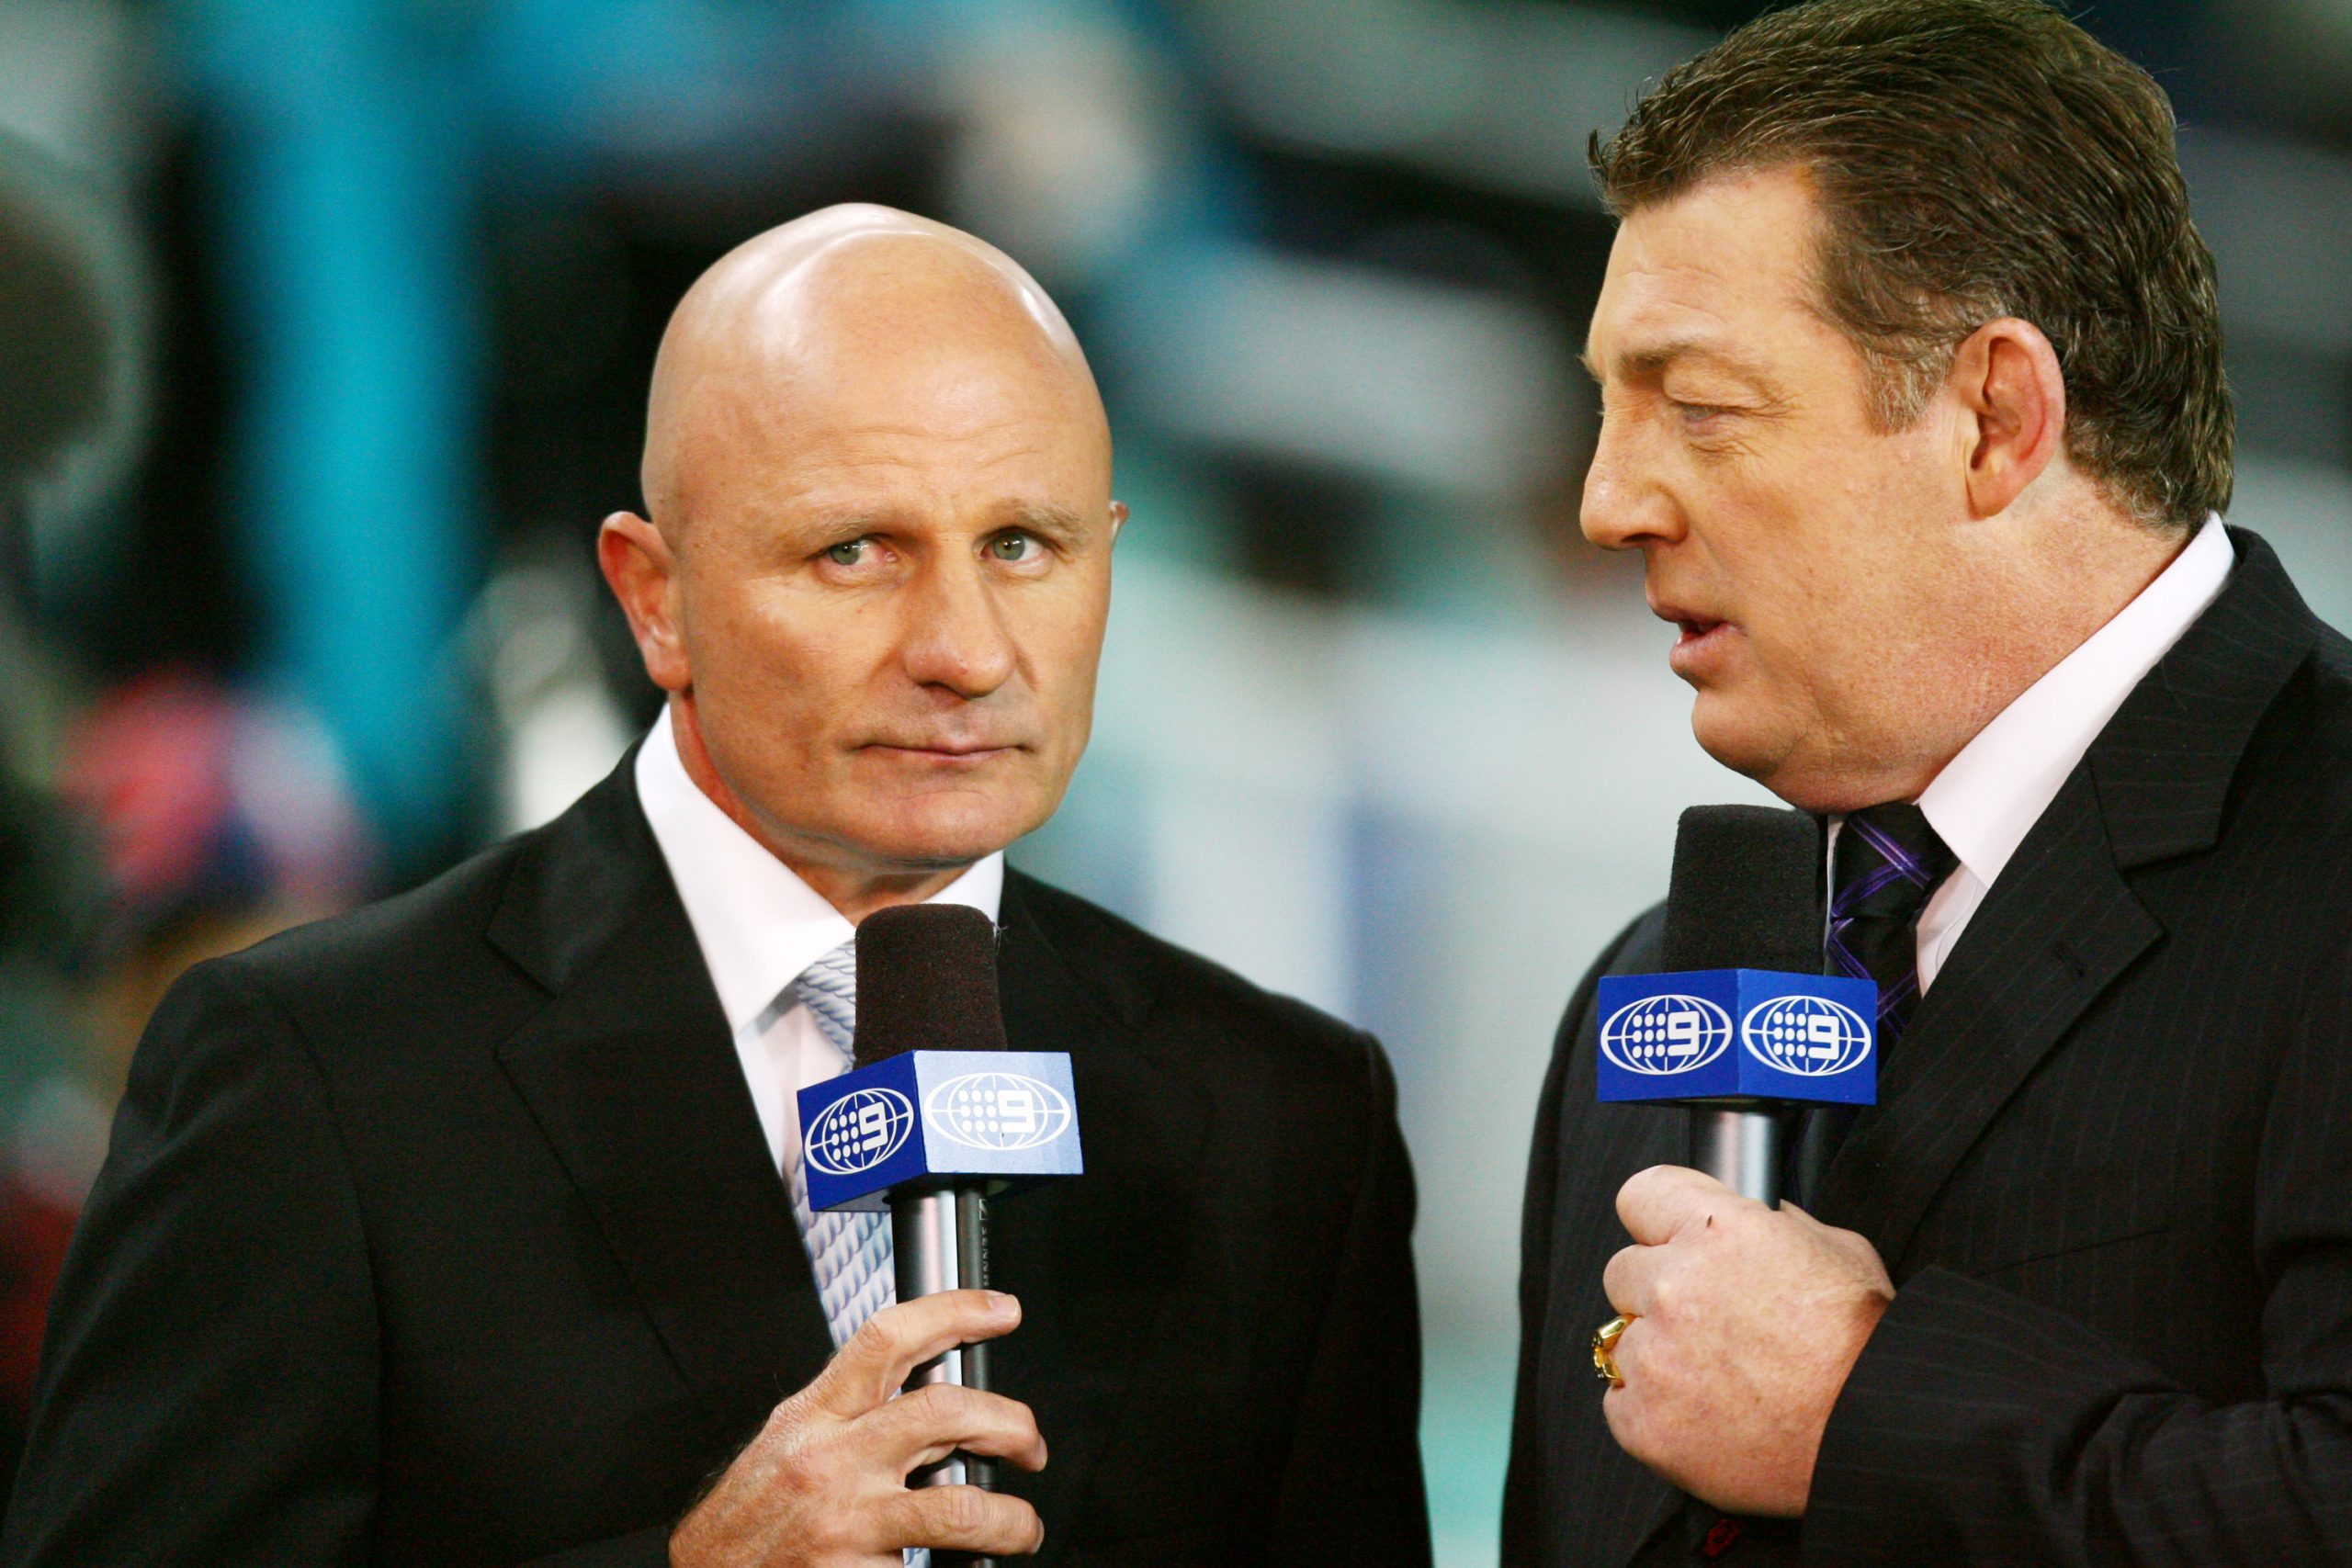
[2111,1172]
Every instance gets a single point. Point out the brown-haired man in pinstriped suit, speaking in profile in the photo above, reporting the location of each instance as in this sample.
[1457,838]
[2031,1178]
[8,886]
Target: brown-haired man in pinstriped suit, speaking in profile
[1913,403]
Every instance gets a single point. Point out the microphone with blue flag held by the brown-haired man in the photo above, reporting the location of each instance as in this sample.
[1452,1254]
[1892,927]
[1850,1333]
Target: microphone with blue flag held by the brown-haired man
[1742,1026]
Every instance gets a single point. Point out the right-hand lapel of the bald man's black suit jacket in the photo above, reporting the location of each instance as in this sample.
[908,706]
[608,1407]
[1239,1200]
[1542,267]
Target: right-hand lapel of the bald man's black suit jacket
[1093,1259]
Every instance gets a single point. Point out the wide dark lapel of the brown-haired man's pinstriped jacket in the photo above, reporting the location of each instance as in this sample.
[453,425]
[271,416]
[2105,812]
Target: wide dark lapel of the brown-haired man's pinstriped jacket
[2064,925]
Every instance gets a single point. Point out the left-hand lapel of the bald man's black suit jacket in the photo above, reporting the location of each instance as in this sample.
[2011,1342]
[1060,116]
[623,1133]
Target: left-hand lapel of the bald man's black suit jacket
[636,1085]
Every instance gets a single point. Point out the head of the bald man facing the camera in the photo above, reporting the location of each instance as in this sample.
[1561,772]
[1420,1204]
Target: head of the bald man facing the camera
[878,558]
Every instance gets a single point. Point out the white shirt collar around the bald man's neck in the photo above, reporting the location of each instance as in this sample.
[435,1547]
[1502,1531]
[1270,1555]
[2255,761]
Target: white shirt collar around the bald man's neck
[754,918]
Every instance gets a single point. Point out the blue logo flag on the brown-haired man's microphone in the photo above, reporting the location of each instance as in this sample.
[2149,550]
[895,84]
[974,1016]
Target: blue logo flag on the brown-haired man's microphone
[1739,1033]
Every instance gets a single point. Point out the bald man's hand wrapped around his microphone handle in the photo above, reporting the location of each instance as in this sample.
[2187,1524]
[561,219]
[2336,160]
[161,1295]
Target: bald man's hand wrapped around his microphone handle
[824,1485]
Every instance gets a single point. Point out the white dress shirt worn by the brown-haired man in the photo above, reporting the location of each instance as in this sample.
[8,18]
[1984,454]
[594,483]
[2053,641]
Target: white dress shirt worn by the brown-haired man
[1991,796]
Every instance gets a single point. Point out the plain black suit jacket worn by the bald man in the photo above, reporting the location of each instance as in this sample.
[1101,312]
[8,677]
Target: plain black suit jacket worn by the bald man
[446,1233]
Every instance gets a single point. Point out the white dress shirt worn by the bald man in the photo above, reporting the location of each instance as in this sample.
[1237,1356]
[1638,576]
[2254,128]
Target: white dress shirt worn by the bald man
[759,927]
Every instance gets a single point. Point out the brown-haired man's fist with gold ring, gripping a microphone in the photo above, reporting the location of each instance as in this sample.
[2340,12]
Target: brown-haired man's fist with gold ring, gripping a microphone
[1746,1325]
